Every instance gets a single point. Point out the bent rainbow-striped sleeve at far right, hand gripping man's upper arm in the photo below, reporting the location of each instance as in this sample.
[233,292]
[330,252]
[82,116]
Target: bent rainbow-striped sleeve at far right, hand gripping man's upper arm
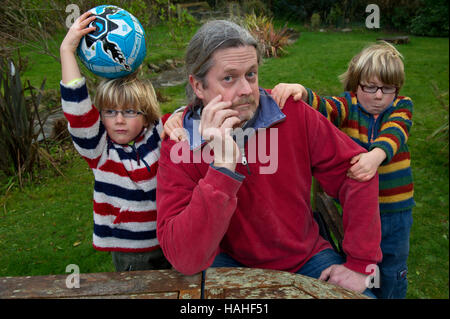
[394,131]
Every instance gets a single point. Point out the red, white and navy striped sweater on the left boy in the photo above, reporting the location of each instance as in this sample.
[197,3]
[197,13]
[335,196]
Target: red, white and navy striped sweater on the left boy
[125,176]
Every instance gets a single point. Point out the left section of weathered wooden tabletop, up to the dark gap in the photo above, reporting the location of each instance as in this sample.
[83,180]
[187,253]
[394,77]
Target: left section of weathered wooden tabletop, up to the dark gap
[101,284]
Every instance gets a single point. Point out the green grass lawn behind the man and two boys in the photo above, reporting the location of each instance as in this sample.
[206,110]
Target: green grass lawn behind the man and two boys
[48,225]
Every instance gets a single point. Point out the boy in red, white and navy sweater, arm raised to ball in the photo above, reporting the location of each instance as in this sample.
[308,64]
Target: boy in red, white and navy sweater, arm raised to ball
[120,140]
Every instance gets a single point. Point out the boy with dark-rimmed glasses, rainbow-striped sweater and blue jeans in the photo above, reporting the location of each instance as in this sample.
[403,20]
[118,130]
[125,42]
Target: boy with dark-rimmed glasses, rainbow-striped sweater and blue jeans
[375,117]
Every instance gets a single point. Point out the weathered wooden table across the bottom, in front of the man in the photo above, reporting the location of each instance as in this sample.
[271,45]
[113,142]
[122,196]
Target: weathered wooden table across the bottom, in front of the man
[218,283]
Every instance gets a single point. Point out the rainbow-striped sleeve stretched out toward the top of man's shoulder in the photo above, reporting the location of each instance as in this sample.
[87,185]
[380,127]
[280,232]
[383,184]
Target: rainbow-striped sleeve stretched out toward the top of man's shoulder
[334,108]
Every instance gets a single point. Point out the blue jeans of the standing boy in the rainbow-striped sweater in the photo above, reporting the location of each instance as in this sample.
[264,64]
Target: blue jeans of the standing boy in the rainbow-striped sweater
[395,230]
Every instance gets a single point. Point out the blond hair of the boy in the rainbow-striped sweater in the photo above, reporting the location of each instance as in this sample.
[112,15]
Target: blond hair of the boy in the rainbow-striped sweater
[381,60]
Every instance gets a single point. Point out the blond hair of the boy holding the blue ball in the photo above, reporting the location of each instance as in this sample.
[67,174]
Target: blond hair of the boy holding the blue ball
[129,92]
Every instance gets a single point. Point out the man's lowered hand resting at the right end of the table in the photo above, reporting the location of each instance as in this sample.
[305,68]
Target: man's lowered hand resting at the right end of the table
[344,277]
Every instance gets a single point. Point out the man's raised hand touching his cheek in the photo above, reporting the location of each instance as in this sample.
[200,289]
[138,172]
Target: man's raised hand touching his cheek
[217,122]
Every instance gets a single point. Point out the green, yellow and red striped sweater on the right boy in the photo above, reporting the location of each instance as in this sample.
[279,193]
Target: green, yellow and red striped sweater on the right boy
[389,132]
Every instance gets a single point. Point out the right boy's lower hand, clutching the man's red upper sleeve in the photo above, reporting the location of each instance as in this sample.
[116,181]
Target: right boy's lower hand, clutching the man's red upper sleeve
[365,165]
